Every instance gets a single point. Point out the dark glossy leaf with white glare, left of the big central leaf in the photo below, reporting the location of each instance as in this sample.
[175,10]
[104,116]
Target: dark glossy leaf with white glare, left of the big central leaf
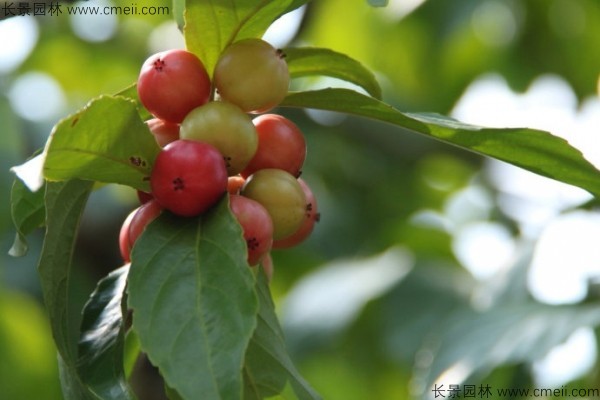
[101,346]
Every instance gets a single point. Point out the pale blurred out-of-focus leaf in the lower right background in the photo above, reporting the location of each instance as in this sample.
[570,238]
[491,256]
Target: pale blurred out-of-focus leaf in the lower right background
[515,333]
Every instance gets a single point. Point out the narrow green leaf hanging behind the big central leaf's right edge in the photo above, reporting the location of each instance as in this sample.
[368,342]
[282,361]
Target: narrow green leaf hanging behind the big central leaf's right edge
[268,366]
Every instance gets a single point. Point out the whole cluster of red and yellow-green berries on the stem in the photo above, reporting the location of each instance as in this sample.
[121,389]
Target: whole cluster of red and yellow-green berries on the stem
[212,146]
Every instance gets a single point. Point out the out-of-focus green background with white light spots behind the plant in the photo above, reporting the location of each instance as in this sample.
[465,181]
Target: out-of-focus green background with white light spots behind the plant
[431,265]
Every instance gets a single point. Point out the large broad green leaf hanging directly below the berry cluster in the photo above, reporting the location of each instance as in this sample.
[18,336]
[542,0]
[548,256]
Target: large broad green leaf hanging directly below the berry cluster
[193,300]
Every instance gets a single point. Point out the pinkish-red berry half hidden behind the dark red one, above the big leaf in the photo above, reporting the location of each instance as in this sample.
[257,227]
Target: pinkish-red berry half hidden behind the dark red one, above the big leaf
[256,224]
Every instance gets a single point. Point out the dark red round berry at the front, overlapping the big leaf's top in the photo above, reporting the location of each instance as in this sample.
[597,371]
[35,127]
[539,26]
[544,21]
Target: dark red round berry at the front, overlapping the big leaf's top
[188,177]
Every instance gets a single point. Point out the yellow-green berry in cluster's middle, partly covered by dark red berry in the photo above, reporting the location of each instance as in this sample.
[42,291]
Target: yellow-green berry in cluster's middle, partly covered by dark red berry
[226,127]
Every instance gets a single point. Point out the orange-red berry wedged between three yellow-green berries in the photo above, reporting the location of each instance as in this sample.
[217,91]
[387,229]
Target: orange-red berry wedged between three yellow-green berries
[281,145]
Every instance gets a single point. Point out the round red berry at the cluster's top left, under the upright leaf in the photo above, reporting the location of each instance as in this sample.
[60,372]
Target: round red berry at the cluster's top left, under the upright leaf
[172,83]
